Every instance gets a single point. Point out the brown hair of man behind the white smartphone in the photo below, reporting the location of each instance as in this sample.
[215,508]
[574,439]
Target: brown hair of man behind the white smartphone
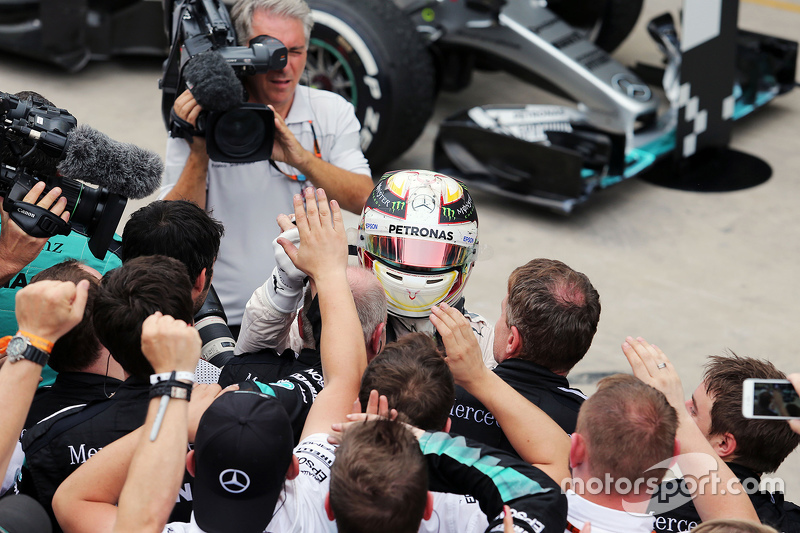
[723,379]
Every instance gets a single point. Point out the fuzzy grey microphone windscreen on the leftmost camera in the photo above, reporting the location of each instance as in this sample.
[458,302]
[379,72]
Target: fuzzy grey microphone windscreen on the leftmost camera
[122,168]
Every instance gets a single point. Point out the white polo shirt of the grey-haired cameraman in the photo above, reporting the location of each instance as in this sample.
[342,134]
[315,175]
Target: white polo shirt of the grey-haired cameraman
[248,197]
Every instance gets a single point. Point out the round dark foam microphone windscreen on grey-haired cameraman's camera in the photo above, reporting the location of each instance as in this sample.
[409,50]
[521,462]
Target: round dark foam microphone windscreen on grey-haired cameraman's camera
[213,82]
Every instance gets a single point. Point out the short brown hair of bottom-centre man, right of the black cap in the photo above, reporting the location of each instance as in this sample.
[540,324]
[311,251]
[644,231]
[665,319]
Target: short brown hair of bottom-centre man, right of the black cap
[379,480]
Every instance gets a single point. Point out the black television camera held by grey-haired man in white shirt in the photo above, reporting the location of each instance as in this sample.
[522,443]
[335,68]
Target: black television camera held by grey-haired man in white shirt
[205,58]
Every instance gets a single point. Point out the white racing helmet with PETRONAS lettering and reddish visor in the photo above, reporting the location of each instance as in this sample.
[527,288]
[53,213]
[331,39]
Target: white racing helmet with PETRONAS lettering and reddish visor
[419,235]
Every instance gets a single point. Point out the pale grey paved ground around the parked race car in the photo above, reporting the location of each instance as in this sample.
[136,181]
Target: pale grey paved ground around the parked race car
[696,273]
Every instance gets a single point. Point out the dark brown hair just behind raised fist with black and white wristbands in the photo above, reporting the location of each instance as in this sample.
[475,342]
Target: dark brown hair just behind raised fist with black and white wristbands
[128,295]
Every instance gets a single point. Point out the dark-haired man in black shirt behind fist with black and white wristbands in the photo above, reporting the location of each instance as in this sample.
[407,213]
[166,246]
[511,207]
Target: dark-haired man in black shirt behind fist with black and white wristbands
[57,446]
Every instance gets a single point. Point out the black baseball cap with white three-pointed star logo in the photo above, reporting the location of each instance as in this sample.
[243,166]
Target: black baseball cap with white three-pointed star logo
[243,450]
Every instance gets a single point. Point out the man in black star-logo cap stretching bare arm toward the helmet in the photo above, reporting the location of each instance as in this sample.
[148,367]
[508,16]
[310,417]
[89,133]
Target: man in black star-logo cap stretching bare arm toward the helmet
[292,484]
